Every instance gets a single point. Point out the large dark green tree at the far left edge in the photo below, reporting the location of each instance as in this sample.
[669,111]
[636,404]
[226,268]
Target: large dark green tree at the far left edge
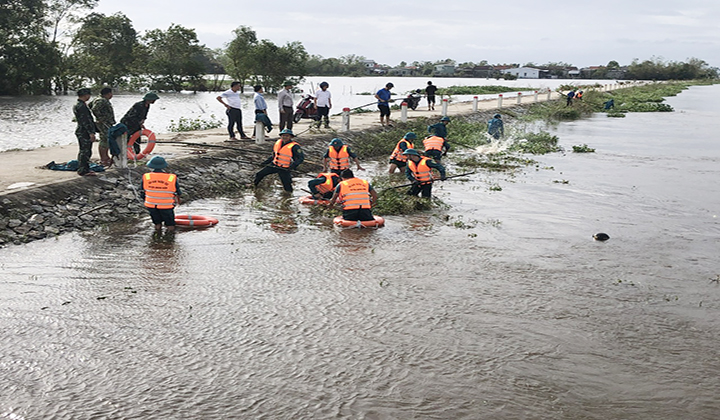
[27,58]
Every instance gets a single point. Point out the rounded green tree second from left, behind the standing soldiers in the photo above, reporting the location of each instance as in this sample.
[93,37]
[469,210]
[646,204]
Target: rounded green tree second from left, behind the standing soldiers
[104,48]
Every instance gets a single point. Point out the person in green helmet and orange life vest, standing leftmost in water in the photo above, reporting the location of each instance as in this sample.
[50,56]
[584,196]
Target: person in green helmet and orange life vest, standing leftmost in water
[161,193]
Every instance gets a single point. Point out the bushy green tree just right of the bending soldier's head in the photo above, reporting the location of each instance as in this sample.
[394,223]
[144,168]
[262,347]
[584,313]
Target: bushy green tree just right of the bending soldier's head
[173,57]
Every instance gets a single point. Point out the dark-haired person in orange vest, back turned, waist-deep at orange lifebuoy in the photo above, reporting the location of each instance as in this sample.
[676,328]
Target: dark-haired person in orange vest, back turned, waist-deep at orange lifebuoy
[356,196]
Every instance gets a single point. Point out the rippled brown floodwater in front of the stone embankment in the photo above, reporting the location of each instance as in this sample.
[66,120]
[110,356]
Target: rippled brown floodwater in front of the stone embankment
[500,307]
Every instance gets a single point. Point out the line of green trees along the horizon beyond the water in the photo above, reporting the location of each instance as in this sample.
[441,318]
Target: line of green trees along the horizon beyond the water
[105,50]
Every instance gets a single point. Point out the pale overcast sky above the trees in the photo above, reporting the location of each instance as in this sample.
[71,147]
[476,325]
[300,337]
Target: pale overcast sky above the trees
[580,32]
